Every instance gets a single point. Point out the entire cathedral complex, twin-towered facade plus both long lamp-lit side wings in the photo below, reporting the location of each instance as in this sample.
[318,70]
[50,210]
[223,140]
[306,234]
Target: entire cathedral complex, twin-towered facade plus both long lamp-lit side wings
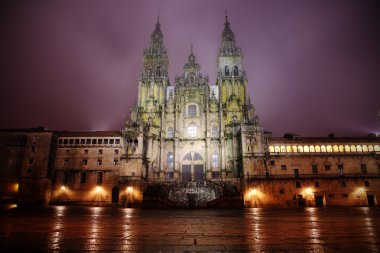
[192,144]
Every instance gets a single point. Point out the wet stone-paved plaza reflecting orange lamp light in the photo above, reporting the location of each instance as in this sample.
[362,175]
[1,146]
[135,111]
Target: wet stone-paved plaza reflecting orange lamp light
[102,229]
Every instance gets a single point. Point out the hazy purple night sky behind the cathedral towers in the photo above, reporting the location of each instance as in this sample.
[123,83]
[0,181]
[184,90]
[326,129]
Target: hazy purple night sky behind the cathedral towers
[313,66]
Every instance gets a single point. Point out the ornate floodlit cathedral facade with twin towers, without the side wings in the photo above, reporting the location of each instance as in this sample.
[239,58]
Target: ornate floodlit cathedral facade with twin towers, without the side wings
[193,130]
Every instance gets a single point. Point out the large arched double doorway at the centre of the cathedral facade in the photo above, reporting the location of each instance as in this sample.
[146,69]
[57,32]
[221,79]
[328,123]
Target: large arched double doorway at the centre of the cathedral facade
[192,167]
